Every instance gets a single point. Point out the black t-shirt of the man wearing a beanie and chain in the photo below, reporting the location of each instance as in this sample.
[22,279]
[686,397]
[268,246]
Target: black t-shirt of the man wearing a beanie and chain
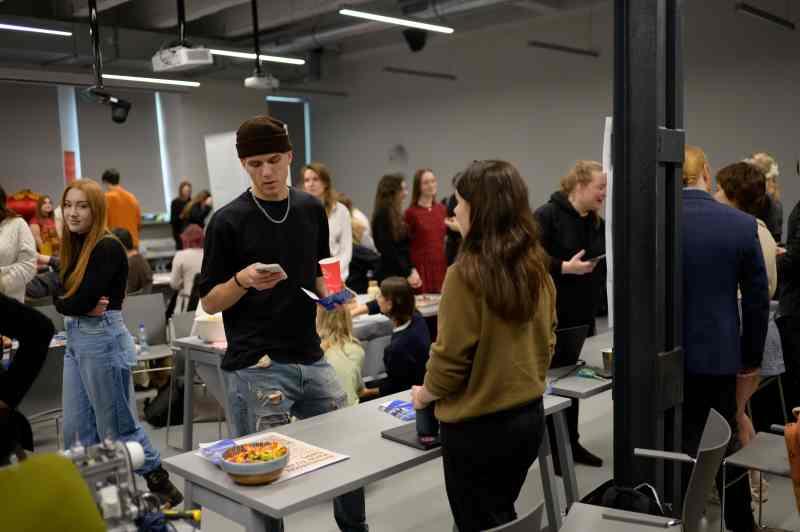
[279,322]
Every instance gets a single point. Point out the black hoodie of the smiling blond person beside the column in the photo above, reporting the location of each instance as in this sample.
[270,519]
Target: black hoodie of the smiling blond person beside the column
[564,233]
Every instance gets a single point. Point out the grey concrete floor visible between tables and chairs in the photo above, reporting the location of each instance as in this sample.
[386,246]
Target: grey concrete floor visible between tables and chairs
[415,500]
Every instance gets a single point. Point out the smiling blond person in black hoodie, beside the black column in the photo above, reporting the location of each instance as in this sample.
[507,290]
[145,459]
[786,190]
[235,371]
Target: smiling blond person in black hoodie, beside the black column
[573,234]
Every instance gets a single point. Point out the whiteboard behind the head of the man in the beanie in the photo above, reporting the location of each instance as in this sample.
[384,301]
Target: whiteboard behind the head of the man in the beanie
[226,176]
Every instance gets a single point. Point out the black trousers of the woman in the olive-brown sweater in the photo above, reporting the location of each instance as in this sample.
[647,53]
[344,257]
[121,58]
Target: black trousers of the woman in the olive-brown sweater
[486,461]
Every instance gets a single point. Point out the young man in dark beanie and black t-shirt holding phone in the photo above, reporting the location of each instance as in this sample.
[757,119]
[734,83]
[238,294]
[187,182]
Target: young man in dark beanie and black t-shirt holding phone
[274,361]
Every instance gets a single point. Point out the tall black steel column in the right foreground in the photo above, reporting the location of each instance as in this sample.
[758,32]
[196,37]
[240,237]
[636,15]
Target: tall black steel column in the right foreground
[648,154]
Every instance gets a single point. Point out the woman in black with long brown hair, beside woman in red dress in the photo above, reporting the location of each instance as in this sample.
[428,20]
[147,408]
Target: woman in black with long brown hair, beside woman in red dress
[390,232]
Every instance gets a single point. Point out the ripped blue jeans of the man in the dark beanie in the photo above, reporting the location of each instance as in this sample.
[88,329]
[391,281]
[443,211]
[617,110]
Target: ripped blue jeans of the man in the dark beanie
[262,398]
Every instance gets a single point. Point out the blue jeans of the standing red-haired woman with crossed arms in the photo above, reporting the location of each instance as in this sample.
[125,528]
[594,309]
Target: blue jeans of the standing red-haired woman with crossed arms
[98,397]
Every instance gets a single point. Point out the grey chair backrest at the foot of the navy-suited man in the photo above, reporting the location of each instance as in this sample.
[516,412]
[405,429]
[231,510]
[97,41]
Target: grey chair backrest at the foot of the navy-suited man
[713,444]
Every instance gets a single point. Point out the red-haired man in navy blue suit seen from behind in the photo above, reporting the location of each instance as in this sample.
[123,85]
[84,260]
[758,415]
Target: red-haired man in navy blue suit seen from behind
[721,255]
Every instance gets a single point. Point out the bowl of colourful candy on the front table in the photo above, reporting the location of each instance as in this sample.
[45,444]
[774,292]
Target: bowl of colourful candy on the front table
[254,464]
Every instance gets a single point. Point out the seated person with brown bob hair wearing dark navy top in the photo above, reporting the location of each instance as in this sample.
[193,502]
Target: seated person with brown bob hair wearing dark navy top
[407,353]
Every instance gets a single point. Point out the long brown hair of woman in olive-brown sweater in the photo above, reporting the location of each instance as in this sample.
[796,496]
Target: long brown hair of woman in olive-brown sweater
[501,257]
